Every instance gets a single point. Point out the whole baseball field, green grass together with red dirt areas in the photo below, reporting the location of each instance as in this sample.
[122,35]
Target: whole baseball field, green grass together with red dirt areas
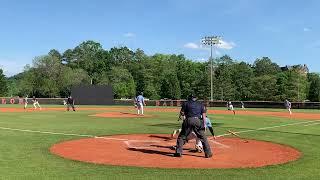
[111,142]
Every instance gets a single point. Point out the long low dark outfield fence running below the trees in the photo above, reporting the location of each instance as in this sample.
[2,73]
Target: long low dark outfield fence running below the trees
[236,104]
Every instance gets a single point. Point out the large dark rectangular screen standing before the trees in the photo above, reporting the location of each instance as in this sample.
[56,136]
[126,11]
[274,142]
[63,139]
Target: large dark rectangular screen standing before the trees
[92,95]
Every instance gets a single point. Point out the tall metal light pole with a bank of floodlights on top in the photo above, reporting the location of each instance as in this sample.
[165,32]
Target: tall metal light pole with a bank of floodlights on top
[211,41]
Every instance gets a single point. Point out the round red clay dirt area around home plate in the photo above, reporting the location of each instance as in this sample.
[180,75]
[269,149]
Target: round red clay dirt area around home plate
[146,150]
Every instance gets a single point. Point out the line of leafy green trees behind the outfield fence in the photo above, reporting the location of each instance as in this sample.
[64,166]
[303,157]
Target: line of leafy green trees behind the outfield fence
[160,76]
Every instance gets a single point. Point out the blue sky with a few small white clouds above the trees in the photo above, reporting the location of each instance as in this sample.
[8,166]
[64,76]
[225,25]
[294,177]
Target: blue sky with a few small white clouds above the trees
[286,31]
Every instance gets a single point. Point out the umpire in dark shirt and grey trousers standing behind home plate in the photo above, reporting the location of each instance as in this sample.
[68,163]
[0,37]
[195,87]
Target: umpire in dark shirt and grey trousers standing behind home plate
[193,111]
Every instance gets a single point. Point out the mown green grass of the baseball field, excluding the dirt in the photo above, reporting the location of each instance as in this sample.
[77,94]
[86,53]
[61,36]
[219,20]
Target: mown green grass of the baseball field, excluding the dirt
[25,155]
